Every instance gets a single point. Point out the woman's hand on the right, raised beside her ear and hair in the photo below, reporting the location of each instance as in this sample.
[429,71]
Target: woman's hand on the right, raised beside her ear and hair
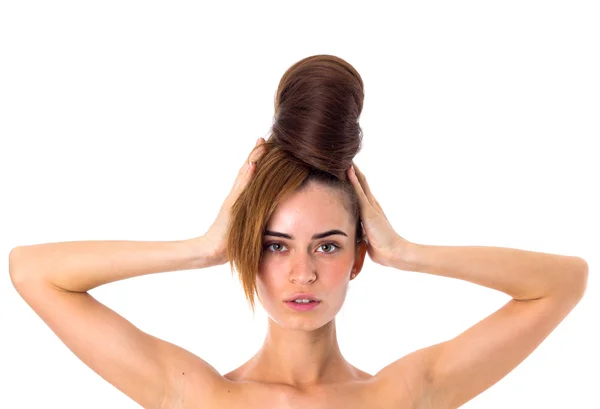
[385,246]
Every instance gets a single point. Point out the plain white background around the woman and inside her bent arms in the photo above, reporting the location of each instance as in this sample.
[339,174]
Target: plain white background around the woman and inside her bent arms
[129,120]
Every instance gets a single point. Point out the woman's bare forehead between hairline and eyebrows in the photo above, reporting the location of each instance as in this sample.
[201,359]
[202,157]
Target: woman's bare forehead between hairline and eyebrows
[315,208]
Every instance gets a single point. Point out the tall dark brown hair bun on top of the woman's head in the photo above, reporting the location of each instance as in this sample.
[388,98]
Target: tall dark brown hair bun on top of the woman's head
[317,107]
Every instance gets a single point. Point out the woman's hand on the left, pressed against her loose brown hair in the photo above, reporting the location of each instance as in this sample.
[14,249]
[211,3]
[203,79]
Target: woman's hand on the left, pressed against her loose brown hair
[216,237]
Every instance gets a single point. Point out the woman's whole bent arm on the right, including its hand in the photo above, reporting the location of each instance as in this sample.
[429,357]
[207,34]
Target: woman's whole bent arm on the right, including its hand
[544,289]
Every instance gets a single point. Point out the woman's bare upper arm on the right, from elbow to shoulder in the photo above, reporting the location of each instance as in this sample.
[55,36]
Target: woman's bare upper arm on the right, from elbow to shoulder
[450,373]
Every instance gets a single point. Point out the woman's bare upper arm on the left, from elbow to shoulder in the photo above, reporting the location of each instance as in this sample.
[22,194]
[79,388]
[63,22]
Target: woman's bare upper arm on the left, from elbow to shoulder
[149,370]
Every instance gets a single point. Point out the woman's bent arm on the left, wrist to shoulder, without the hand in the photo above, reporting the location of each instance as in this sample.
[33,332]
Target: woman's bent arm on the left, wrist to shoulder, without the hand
[54,278]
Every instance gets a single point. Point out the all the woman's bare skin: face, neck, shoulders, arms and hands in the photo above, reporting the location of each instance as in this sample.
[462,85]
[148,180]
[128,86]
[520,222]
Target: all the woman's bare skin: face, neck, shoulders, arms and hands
[54,279]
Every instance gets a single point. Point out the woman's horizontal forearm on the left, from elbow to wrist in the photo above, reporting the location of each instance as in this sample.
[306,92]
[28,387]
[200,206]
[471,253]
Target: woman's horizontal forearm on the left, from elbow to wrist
[80,266]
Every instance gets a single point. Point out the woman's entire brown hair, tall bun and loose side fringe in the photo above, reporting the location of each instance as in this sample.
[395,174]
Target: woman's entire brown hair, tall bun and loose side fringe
[314,137]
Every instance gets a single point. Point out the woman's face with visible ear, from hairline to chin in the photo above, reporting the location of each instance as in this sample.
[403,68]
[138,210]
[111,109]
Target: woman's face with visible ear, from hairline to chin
[300,263]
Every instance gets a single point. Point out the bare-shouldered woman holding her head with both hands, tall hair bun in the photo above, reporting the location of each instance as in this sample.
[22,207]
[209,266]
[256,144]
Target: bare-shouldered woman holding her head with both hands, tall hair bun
[297,226]
